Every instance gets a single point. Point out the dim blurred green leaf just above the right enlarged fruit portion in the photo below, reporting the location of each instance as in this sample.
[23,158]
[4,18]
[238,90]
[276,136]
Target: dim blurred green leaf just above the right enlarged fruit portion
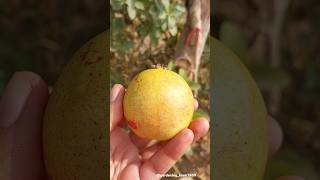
[233,38]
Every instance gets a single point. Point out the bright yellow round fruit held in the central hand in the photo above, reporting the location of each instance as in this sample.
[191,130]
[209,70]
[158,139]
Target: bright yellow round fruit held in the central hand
[158,104]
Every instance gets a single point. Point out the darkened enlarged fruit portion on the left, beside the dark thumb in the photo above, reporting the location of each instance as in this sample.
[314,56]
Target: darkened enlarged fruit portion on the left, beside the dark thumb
[75,122]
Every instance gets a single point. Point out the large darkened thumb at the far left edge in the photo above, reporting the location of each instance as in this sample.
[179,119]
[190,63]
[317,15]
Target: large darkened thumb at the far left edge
[21,111]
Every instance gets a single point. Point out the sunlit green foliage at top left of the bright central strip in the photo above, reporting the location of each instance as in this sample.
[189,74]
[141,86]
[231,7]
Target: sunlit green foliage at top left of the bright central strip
[132,21]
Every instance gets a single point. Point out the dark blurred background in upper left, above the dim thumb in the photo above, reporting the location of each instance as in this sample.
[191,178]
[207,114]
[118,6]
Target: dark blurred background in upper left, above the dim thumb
[41,36]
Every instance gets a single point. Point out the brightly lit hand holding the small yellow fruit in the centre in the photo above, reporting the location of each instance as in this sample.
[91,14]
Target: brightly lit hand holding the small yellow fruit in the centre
[134,158]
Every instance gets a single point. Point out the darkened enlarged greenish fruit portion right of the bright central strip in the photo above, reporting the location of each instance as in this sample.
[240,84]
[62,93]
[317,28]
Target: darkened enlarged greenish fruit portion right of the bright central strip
[239,130]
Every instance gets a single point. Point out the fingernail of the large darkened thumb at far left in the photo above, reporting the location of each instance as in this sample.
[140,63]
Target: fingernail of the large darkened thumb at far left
[15,96]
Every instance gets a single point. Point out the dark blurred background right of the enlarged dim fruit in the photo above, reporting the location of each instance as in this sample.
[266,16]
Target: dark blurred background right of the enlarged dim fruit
[279,42]
